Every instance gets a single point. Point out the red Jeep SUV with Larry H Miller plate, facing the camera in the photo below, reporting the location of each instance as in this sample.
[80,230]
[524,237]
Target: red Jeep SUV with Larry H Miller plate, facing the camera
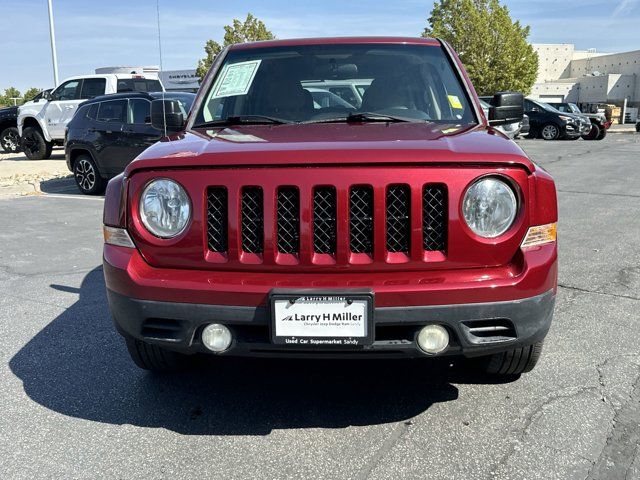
[387,218]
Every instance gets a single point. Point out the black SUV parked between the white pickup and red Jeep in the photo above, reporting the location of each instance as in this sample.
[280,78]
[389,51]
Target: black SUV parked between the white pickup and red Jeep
[108,132]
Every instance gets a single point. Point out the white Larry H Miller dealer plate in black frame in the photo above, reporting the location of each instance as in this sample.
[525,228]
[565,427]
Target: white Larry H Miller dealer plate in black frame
[316,320]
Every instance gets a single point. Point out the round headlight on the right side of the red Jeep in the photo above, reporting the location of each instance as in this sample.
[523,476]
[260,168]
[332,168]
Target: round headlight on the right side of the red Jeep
[489,207]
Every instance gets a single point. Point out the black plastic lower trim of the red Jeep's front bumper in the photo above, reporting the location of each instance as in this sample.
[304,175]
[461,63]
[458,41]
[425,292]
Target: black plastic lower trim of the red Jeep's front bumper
[475,329]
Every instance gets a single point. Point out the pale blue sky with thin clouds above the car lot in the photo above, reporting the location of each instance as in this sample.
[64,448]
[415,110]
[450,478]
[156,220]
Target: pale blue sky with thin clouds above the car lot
[93,33]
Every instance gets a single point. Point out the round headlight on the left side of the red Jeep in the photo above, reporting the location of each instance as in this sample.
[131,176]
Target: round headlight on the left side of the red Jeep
[165,208]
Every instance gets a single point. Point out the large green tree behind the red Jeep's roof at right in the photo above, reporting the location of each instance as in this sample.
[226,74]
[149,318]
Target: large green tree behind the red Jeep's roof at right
[492,47]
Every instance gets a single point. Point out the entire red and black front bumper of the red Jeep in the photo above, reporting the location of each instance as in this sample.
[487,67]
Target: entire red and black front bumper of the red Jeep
[486,310]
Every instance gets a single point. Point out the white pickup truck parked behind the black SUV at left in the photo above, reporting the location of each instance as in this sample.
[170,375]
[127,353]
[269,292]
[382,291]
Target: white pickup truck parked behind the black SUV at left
[41,125]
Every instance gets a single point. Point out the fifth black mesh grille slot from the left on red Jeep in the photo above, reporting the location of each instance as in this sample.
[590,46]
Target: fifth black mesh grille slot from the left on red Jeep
[361,219]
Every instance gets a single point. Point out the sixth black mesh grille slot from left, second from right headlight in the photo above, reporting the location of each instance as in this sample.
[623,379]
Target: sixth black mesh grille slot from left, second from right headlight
[398,219]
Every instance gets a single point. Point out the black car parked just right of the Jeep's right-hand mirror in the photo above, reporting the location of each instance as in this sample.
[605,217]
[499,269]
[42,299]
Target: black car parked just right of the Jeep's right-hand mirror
[551,124]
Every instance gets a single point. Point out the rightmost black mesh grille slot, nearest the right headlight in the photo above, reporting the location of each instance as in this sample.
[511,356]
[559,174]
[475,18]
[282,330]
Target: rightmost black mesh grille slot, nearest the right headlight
[434,217]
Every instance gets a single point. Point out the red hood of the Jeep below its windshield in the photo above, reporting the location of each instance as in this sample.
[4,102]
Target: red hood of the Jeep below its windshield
[331,144]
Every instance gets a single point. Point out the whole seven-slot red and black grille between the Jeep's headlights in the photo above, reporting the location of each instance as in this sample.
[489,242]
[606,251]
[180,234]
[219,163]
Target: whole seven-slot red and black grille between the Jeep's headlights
[323,220]
